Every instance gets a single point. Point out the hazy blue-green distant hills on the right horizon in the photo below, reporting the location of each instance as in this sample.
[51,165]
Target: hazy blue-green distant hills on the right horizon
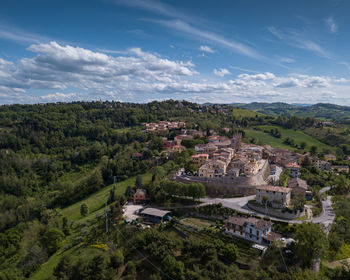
[336,113]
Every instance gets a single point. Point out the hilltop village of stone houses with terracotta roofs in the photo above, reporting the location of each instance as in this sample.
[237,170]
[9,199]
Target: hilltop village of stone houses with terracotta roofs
[267,179]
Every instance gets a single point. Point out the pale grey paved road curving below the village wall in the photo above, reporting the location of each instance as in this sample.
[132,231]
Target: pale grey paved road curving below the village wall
[240,204]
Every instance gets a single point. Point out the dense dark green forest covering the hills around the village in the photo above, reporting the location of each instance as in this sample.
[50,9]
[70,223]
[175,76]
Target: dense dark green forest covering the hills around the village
[54,156]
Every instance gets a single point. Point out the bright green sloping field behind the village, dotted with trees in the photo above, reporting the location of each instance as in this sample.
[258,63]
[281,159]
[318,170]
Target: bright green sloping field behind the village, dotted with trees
[298,137]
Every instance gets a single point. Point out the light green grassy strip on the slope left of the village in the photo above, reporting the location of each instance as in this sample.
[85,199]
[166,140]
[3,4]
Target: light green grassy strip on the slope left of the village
[96,201]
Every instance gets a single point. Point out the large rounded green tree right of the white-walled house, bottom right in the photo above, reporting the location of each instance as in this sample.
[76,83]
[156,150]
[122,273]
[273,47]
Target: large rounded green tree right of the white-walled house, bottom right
[311,242]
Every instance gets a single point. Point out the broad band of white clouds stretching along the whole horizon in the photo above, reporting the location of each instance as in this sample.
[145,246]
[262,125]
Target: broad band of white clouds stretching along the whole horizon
[66,73]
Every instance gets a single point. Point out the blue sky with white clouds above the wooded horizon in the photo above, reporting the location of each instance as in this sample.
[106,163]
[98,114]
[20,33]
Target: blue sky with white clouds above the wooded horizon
[292,51]
